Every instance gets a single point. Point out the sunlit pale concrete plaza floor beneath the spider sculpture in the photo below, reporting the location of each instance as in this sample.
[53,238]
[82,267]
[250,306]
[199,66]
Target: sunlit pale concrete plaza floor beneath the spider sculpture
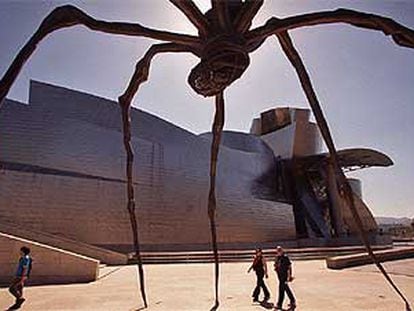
[189,287]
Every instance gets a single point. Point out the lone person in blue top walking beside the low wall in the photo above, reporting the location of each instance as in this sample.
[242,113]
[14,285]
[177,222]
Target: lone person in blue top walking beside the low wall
[24,268]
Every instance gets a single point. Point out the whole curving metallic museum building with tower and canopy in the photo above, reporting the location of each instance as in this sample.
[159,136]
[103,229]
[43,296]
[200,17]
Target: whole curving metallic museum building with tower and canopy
[62,167]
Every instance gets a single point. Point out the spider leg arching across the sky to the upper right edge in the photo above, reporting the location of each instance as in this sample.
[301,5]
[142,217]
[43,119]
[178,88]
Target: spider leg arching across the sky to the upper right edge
[401,35]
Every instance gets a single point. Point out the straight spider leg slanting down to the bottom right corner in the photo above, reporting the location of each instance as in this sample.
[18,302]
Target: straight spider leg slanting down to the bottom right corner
[296,61]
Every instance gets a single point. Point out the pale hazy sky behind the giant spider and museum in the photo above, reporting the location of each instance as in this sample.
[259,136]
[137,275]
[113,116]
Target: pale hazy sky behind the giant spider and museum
[363,80]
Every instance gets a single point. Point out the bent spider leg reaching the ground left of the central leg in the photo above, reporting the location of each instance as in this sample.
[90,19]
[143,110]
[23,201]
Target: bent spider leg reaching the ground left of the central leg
[140,75]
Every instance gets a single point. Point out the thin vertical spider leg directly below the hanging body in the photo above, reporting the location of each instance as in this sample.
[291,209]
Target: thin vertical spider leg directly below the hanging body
[217,130]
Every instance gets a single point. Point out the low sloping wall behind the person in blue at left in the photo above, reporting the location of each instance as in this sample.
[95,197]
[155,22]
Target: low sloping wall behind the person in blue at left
[50,265]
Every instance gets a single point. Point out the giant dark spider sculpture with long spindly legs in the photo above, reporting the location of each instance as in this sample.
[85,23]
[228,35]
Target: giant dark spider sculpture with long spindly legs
[223,45]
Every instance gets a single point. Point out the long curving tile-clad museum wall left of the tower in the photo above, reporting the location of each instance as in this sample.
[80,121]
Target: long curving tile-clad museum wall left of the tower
[70,132]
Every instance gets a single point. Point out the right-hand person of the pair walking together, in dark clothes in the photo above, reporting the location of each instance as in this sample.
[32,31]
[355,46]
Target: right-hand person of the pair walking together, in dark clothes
[283,268]
